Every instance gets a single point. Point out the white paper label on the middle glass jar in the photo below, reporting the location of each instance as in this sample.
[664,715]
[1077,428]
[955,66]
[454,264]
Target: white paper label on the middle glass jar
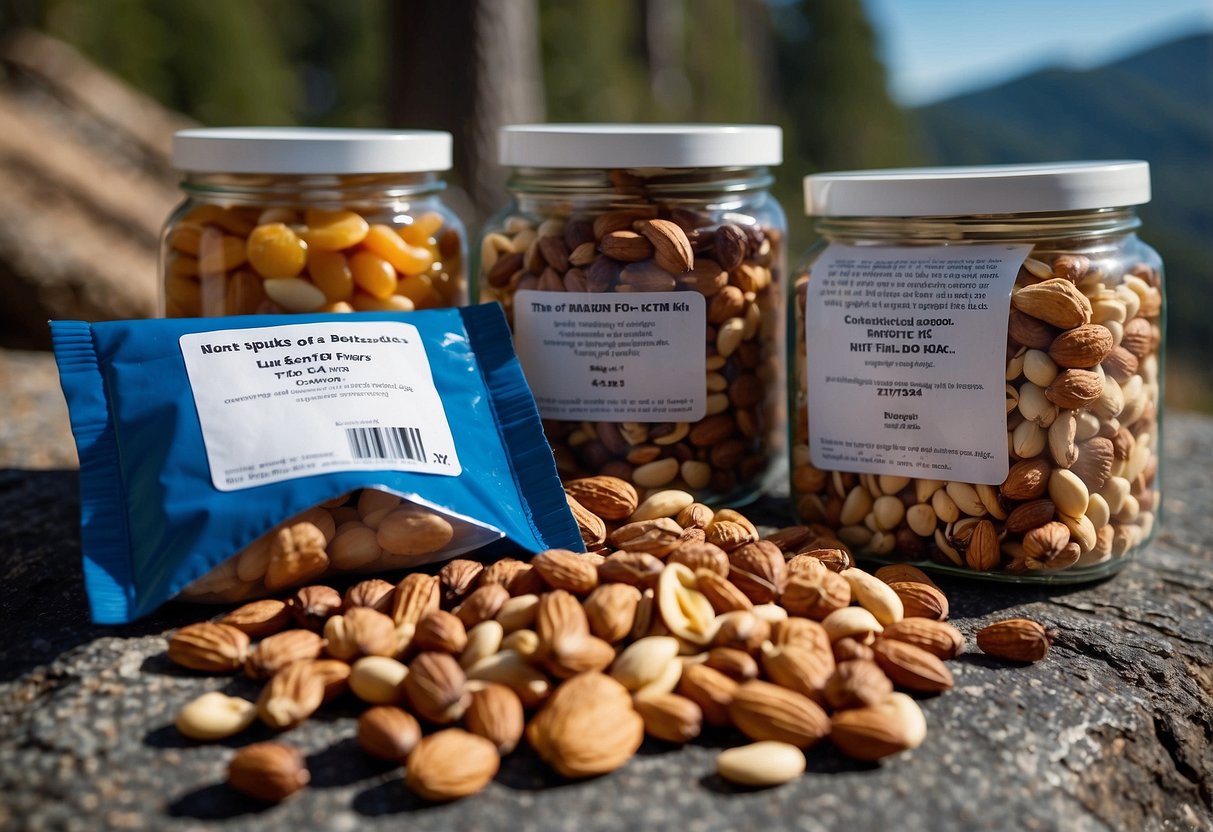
[614,357]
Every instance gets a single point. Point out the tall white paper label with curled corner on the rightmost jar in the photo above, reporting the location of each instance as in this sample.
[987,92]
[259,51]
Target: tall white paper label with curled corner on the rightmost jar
[907,357]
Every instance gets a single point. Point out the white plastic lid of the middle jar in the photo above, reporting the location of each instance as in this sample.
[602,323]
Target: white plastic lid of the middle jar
[641,145]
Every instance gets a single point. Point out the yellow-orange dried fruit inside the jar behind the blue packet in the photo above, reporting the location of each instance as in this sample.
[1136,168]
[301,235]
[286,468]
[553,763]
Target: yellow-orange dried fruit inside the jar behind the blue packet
[267,259]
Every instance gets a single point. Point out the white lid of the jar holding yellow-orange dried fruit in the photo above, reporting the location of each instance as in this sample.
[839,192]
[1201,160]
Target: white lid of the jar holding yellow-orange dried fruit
[310,151]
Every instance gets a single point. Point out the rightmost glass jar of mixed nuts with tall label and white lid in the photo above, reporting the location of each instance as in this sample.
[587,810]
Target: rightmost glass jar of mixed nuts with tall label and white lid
[978,368]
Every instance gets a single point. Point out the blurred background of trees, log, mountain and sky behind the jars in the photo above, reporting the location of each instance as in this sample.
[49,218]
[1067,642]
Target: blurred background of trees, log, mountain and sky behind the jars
[92,92]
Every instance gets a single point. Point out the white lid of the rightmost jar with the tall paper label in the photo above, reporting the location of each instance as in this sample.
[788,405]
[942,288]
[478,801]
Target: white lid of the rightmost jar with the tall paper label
[941,192]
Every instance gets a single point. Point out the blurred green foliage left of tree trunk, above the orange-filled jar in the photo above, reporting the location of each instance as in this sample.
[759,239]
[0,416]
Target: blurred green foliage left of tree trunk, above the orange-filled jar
[232,62]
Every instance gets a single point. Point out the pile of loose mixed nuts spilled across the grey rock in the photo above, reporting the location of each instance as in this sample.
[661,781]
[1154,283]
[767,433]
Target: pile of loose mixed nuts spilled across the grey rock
[681,618]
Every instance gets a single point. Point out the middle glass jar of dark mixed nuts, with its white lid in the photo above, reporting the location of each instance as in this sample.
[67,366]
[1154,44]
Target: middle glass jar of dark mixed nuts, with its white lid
[642,270]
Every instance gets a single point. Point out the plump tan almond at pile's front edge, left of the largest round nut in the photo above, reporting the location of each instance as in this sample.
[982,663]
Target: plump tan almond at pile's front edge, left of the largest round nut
[451,765]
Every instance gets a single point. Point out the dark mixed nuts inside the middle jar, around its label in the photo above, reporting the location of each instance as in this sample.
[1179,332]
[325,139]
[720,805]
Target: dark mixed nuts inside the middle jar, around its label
[640,243]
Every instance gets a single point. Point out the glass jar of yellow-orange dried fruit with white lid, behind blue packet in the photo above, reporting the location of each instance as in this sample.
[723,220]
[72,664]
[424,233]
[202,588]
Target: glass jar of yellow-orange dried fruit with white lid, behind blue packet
[311,220]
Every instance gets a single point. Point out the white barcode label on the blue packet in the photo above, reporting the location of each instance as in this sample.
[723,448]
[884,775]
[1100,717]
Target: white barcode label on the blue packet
[283,402]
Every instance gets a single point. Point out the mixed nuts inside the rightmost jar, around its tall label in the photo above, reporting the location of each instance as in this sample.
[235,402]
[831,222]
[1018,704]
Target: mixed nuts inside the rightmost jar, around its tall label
[1083,387]
